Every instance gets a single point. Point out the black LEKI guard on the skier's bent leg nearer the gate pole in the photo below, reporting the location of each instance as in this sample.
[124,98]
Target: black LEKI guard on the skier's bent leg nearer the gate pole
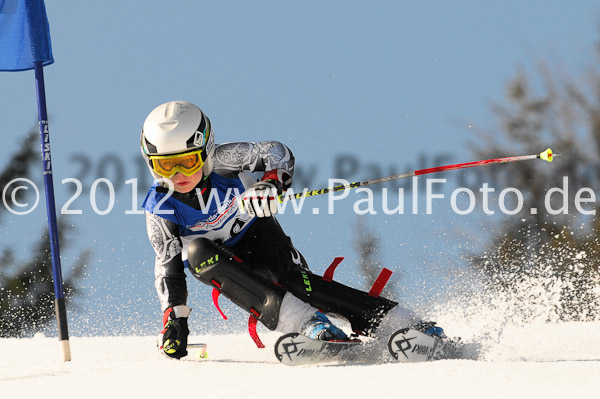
[216,266]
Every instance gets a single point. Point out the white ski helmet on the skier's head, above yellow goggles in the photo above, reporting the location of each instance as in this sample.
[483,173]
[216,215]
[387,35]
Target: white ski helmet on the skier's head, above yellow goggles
[177,127]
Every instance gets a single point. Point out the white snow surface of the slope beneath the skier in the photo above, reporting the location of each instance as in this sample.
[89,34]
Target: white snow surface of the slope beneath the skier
[550,360]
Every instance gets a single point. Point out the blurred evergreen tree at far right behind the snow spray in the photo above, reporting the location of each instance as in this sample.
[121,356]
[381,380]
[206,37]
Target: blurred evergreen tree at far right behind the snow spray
[559,250]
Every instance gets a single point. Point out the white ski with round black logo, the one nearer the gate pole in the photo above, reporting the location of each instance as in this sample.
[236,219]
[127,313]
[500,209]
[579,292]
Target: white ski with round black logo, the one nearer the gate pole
[294,349]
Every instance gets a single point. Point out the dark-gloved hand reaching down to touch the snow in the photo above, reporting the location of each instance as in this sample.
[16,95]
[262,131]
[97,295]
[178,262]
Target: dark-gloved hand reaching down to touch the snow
[173,337]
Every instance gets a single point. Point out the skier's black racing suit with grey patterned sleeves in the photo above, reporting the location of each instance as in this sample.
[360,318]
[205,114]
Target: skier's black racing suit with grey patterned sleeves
[264,249]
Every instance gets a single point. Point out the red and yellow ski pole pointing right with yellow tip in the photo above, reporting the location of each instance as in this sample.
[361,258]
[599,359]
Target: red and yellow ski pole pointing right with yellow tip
[546,155]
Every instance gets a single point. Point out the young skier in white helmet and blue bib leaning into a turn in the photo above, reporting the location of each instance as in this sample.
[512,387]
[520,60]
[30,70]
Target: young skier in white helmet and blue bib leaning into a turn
[206,213]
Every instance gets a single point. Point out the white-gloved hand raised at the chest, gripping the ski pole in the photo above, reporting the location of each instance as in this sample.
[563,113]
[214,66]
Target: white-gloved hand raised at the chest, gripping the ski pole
[261,198]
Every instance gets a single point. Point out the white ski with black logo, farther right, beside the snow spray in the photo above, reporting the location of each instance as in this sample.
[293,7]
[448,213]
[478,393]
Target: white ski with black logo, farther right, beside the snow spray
[412,346]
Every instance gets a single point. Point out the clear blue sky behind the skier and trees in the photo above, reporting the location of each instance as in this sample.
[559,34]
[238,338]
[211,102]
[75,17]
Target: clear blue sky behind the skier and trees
[392,84]
